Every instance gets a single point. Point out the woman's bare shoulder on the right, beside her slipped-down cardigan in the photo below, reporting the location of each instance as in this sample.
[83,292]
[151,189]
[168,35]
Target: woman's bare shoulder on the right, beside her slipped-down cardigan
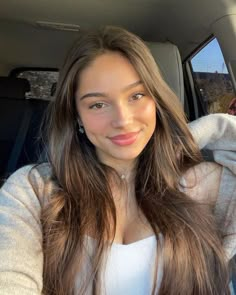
[202,182]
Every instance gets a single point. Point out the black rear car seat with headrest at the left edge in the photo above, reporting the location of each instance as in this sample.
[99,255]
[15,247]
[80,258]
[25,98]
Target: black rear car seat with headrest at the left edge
[19,124]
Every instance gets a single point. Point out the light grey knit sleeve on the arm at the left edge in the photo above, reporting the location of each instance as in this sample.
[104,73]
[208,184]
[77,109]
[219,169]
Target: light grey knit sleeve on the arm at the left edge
[21,255]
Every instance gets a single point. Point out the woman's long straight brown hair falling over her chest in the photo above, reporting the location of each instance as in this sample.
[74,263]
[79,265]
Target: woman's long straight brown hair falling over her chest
[81,197]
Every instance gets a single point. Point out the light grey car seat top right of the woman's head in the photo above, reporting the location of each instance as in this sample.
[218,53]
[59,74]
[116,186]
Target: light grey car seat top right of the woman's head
[168,59]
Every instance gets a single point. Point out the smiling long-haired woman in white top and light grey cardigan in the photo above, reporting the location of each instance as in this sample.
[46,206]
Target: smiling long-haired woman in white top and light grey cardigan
[125,204]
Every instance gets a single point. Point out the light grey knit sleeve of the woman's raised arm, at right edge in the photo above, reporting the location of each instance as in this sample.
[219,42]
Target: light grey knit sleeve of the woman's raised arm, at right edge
[217,132]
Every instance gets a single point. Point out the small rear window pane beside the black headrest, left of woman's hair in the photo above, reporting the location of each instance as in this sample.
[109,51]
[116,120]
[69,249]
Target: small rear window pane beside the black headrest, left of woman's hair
[41,83]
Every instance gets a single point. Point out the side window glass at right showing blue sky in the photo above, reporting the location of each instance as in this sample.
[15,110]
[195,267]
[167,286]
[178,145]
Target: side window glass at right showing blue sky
[212,80]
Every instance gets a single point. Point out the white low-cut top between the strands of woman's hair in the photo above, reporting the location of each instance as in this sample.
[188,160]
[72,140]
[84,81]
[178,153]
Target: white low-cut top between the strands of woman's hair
[130,268]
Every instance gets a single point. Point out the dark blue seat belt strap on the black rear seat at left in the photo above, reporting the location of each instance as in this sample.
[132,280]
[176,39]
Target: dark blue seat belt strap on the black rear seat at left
[19,141]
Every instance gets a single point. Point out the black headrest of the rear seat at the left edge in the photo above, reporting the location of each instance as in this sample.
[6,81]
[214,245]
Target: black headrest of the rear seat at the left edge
[11,87]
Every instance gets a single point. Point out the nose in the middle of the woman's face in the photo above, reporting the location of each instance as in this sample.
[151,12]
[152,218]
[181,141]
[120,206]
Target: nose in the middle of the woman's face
[122,116]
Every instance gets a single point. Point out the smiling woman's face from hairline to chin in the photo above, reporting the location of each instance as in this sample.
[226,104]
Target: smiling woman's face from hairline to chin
[115,109]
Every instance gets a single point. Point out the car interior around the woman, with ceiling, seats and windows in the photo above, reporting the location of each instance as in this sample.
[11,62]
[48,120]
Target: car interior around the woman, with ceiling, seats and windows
[36,35]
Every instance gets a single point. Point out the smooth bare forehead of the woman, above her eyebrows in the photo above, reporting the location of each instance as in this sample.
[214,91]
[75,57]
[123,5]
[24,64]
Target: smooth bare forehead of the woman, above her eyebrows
[109,71]
